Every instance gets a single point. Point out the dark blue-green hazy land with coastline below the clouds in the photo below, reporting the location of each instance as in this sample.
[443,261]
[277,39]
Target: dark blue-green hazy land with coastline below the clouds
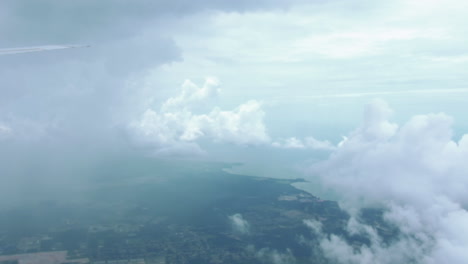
[176,213]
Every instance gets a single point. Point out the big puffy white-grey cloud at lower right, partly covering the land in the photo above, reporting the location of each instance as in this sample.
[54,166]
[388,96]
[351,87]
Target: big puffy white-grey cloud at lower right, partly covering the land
[416,173]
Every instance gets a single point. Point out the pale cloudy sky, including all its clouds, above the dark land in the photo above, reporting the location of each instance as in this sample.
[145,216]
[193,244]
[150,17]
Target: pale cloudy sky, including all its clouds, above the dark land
[332,91]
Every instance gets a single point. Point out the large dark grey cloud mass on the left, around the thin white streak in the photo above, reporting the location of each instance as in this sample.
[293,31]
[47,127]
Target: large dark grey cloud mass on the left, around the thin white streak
[62,111]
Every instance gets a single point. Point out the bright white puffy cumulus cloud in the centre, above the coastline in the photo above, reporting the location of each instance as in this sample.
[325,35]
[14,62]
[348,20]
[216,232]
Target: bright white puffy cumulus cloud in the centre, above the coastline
[176,124]
